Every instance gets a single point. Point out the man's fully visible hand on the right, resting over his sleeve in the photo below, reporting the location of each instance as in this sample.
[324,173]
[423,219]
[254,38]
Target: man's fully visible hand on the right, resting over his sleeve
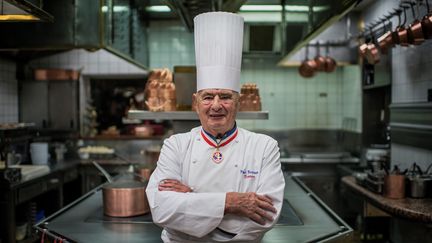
[251,205]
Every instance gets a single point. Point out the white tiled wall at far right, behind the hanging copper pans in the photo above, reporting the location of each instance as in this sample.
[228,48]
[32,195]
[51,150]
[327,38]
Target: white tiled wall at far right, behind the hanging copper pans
[411,78]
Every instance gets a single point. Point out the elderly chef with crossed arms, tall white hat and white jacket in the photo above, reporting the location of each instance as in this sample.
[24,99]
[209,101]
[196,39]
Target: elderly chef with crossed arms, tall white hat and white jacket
[217,182]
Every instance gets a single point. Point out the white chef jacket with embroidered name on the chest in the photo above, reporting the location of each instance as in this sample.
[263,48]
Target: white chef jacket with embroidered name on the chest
[251,163]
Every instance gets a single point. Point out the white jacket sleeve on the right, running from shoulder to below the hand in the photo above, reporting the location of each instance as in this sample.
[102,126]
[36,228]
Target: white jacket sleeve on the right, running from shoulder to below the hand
[272,184]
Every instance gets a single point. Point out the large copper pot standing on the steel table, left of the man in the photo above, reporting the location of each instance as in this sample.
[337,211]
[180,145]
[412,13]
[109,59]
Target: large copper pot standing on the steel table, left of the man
[125,199]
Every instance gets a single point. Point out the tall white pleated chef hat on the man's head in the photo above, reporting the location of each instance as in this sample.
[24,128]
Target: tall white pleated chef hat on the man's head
[218,50]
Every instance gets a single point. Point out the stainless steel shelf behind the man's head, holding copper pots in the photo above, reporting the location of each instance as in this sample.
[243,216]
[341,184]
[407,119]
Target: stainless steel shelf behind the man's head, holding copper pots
[190,115]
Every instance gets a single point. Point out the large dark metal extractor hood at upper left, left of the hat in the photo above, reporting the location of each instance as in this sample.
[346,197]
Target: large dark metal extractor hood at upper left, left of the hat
[118,26]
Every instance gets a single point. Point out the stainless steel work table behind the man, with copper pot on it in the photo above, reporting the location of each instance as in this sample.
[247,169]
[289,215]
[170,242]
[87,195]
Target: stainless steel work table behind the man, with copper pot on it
[79,222]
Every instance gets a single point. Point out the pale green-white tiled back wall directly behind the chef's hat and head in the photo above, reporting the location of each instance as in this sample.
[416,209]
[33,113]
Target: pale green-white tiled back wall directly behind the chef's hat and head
[322,102]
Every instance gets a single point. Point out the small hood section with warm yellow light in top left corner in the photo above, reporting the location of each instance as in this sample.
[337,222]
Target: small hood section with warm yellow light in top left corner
[22,10]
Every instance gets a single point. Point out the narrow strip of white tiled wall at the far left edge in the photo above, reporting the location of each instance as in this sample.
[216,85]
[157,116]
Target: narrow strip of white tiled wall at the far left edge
[8,91]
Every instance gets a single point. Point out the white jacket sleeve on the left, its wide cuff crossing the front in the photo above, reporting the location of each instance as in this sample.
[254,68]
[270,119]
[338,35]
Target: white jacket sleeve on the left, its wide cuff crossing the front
[181,211]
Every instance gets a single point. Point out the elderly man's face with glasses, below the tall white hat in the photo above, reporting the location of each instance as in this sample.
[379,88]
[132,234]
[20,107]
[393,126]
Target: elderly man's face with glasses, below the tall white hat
[217,109]
